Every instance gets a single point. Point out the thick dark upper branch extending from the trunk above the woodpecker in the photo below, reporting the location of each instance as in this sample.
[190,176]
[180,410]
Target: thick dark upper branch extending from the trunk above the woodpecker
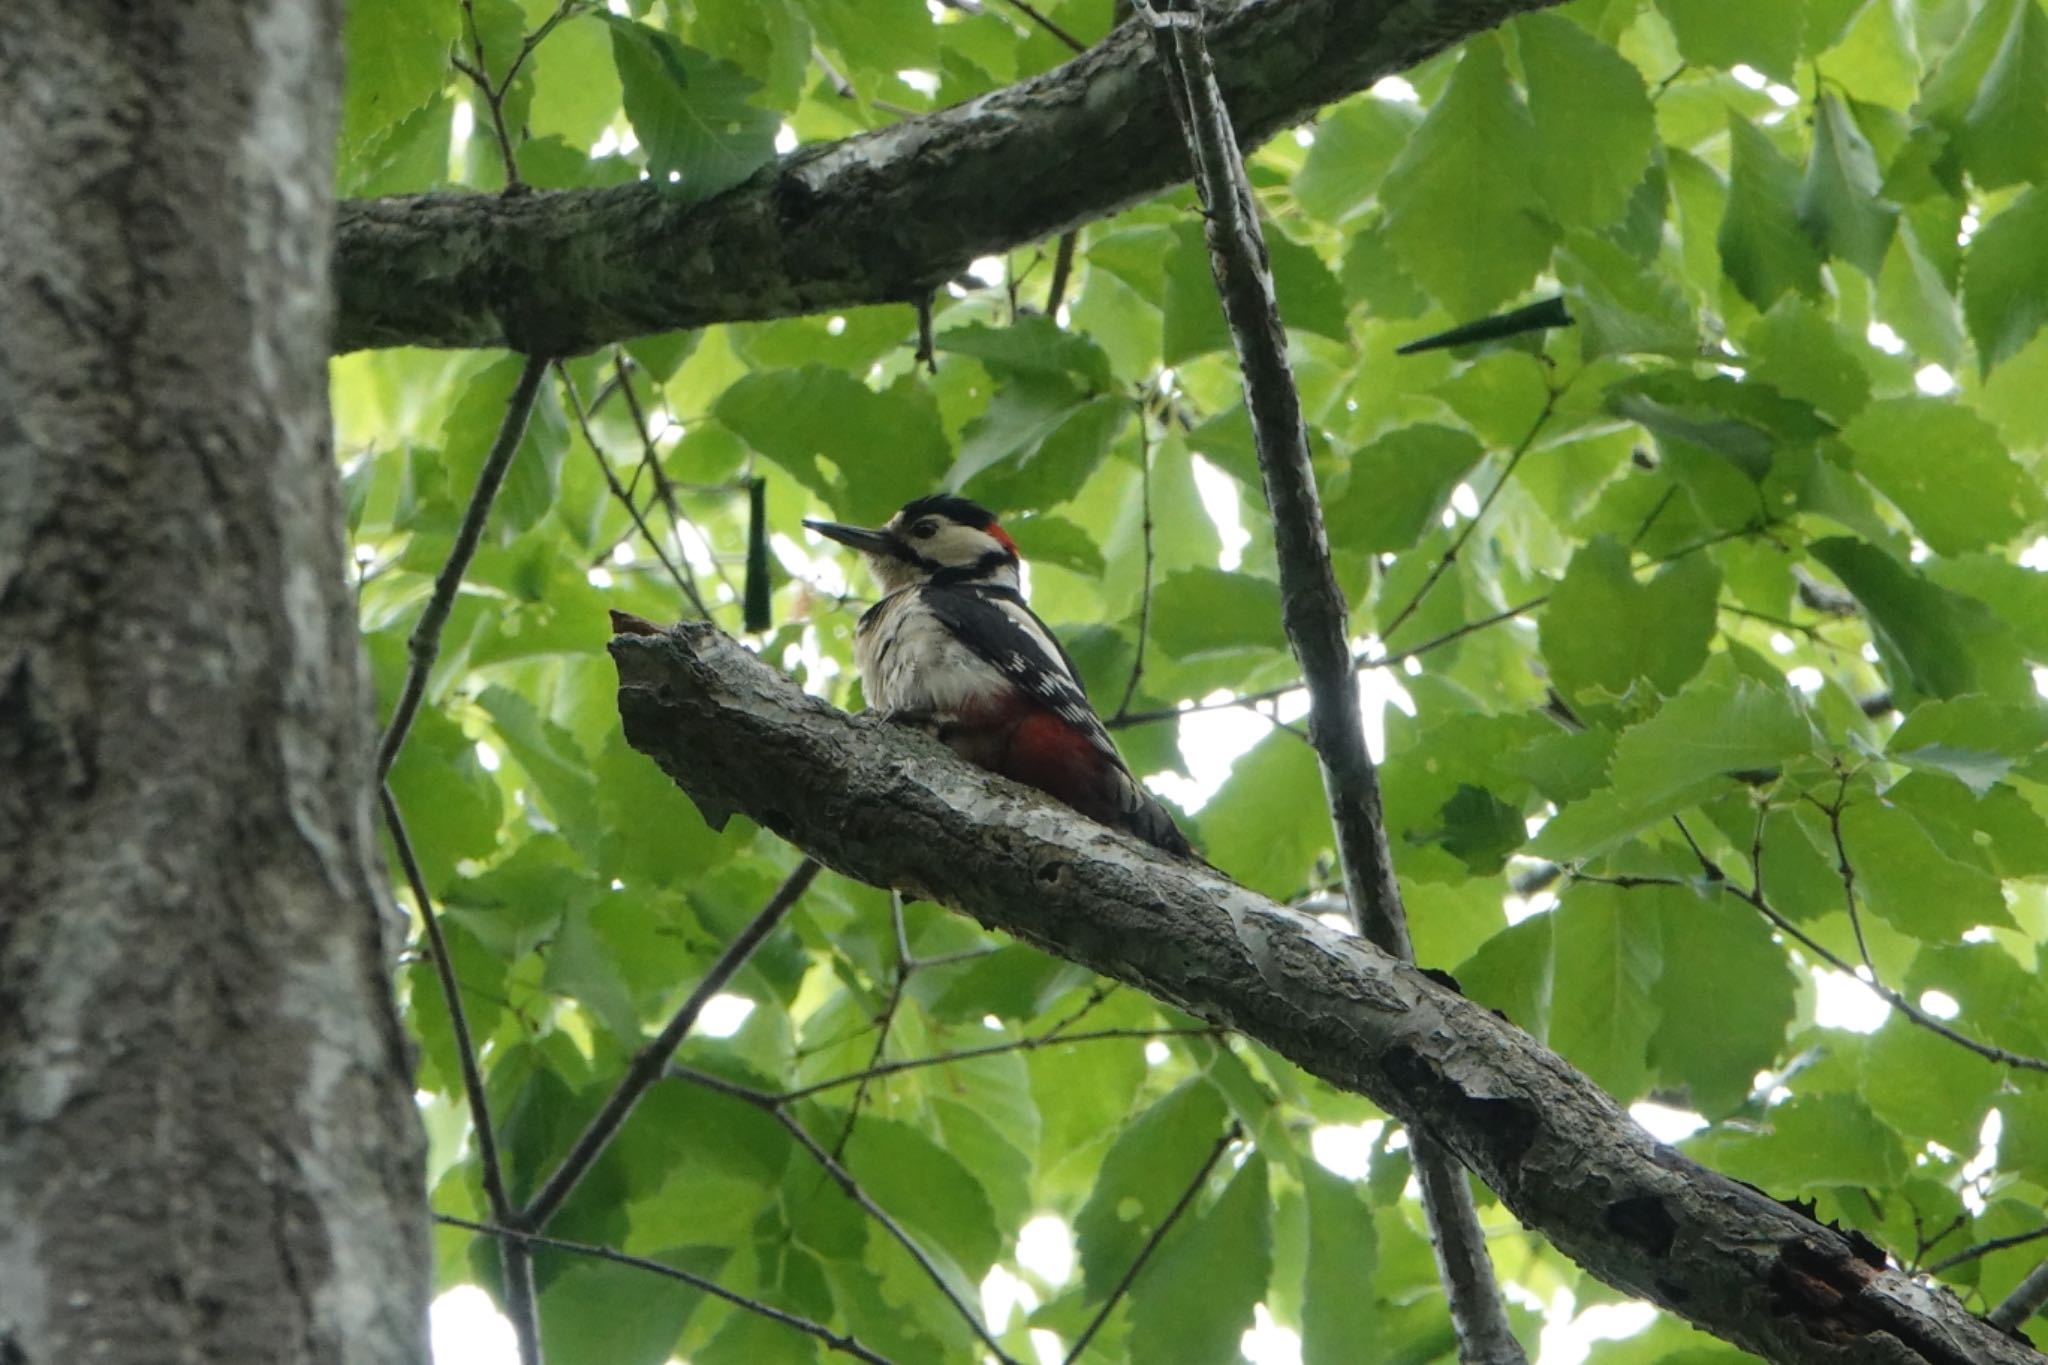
[880,218]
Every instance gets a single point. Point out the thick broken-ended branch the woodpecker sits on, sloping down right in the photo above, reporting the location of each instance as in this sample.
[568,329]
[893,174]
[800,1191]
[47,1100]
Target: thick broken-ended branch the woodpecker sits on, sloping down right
[896,809]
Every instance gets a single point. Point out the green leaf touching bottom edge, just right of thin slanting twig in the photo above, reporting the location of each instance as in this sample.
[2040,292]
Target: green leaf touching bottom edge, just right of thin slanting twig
[1195,1301]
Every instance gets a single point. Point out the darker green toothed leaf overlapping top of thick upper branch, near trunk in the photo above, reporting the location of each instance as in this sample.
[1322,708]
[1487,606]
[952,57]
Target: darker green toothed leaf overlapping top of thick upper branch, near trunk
[691,112]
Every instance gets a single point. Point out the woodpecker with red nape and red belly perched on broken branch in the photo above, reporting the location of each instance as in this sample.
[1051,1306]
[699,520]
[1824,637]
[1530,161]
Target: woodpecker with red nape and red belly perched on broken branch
[953,648]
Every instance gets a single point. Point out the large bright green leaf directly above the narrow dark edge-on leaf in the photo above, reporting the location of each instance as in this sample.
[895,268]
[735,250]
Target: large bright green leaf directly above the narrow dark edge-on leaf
[1463,212]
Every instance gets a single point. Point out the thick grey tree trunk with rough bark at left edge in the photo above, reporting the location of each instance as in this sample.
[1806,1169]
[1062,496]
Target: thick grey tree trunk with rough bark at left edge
[208,1147]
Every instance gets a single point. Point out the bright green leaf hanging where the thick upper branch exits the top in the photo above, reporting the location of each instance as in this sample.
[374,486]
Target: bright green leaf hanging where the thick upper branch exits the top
[1592,118]
